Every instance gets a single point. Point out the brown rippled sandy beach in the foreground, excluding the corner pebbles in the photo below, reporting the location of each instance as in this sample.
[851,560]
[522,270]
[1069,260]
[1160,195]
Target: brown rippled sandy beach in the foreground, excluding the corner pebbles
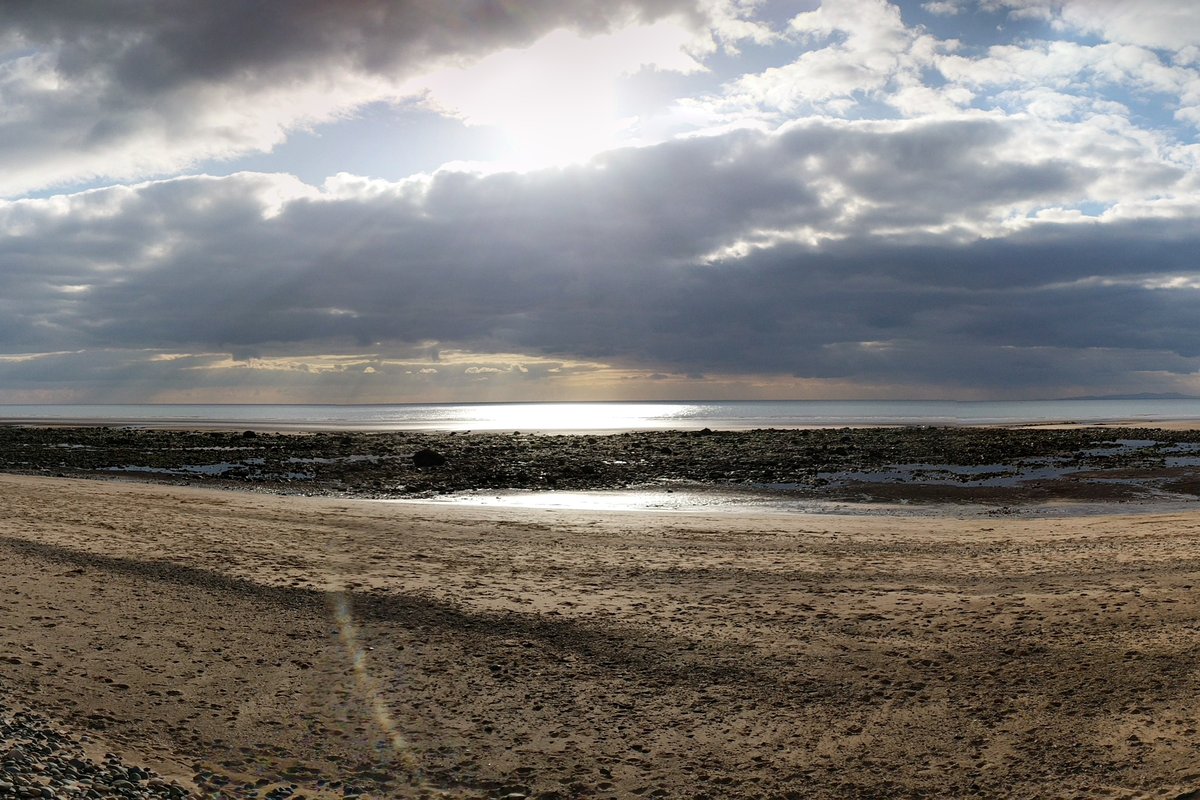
[418,651]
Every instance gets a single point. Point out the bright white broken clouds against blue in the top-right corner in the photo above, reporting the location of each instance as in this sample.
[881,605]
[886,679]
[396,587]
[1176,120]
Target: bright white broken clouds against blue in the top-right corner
[861,59]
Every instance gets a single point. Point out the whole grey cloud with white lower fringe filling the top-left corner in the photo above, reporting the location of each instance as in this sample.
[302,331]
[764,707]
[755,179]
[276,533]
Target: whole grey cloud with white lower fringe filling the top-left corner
[146,89]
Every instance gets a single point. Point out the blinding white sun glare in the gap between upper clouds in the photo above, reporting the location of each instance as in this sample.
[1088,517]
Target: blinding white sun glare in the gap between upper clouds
[559,101]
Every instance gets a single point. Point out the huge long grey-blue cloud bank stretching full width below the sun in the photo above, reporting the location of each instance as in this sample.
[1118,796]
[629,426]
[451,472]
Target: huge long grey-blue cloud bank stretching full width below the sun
[627,261]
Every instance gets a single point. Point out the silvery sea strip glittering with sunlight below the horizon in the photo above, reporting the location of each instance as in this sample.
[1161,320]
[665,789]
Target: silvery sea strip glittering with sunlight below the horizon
[611,417]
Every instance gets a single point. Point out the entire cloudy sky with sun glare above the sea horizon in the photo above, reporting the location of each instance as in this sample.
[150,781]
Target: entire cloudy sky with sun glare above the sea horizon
[386,202]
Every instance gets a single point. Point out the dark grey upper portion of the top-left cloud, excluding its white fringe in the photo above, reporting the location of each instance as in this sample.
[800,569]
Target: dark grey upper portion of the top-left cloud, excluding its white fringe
[154,47]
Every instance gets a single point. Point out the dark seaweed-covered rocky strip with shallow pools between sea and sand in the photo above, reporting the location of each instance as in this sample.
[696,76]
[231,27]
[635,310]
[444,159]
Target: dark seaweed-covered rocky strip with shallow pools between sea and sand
[989,466]
